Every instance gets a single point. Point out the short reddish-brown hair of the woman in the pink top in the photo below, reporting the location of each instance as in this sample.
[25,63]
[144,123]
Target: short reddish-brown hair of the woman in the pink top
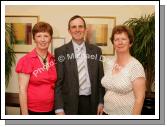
[42,27]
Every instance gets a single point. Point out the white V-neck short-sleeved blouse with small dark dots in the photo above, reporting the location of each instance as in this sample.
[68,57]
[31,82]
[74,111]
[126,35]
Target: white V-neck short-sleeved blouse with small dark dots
[119,97]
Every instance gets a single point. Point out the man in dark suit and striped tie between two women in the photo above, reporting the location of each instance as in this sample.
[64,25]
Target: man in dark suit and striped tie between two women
[79,68]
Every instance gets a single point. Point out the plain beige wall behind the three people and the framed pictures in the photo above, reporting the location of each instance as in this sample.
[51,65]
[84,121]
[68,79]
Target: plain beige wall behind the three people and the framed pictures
[58,17]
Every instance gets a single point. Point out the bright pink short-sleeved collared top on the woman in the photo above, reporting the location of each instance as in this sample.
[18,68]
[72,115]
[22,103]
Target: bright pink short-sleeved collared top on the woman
[40,93]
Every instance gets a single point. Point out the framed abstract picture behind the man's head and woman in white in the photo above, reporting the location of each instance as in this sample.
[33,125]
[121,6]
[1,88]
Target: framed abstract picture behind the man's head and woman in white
[99,31]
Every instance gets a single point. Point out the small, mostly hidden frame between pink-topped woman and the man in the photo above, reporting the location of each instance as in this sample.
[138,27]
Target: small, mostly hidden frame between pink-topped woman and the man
[56,43]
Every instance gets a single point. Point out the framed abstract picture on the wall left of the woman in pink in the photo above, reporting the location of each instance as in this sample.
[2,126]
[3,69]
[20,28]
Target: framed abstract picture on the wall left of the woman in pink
[22,29]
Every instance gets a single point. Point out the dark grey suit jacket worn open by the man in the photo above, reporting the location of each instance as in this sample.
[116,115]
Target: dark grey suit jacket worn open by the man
[67,85]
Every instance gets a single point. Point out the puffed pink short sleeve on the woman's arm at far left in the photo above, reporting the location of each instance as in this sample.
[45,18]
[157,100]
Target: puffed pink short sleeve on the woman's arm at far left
[24,65]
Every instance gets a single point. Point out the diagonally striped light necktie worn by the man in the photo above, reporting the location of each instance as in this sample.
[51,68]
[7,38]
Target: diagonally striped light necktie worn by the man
[81,68]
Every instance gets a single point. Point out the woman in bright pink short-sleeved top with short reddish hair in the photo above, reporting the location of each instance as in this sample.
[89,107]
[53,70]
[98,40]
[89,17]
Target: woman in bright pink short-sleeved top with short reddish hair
[37,74]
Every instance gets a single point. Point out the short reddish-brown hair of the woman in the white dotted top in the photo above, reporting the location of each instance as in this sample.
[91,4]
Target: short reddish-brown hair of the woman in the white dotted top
[120,29]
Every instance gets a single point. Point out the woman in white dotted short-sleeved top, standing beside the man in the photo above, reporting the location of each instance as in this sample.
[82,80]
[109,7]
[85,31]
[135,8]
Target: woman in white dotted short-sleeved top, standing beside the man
[124,78]
